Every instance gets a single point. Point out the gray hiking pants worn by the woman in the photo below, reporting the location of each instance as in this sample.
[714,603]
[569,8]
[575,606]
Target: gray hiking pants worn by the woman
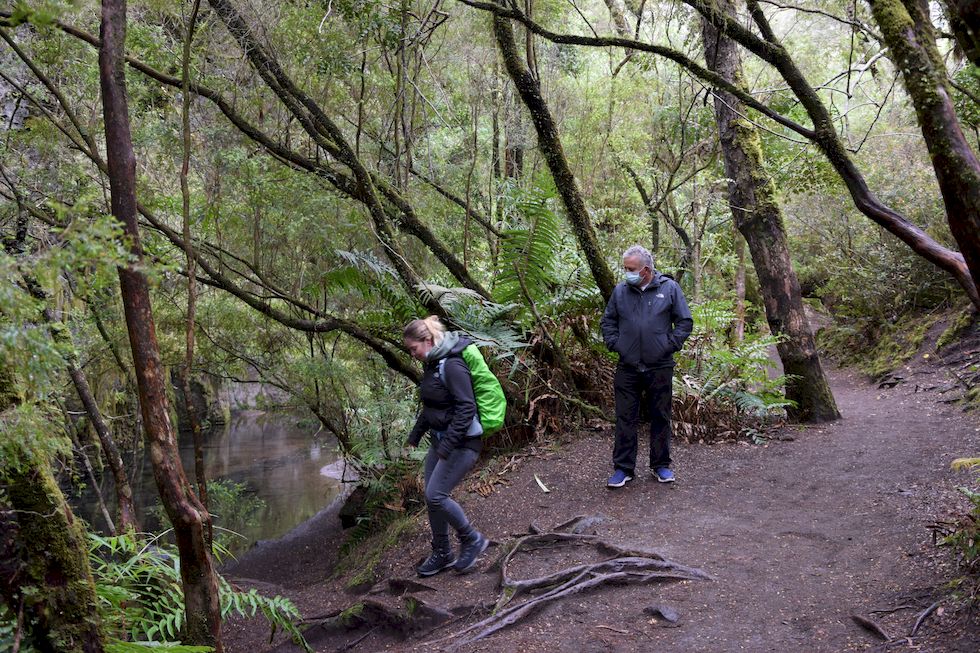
[441,476]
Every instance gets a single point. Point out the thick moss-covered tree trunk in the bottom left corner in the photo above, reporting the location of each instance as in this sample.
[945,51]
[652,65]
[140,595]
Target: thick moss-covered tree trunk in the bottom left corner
[45,578]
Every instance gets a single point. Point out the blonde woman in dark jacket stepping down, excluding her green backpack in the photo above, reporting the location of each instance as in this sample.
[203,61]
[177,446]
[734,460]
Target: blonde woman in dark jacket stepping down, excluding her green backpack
[449,414]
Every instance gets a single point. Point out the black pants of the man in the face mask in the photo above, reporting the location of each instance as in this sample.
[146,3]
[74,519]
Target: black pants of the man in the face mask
[632,386]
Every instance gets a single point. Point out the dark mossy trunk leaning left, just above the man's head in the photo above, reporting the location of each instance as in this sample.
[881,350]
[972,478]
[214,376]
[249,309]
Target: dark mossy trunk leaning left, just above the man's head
[554,155]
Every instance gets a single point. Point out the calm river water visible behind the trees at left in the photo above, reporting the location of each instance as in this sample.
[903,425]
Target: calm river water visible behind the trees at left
[277,458]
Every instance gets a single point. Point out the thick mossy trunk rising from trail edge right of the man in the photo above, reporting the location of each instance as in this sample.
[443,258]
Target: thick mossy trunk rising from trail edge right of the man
[758,217]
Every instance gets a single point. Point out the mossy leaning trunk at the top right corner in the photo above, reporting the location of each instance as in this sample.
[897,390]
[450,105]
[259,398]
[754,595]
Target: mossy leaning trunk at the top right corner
[908,32]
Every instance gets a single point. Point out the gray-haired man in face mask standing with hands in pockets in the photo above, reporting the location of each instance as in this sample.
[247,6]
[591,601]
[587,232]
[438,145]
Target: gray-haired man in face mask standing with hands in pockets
[646,321]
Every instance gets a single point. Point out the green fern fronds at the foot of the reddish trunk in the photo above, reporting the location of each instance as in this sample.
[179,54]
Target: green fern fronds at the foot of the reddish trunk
[138,587]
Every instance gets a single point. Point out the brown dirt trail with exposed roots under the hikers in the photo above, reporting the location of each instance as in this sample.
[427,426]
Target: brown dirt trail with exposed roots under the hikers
[800,534]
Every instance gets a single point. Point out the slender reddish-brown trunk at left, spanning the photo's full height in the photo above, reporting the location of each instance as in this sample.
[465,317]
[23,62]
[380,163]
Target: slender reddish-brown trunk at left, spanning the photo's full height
[188,516]
